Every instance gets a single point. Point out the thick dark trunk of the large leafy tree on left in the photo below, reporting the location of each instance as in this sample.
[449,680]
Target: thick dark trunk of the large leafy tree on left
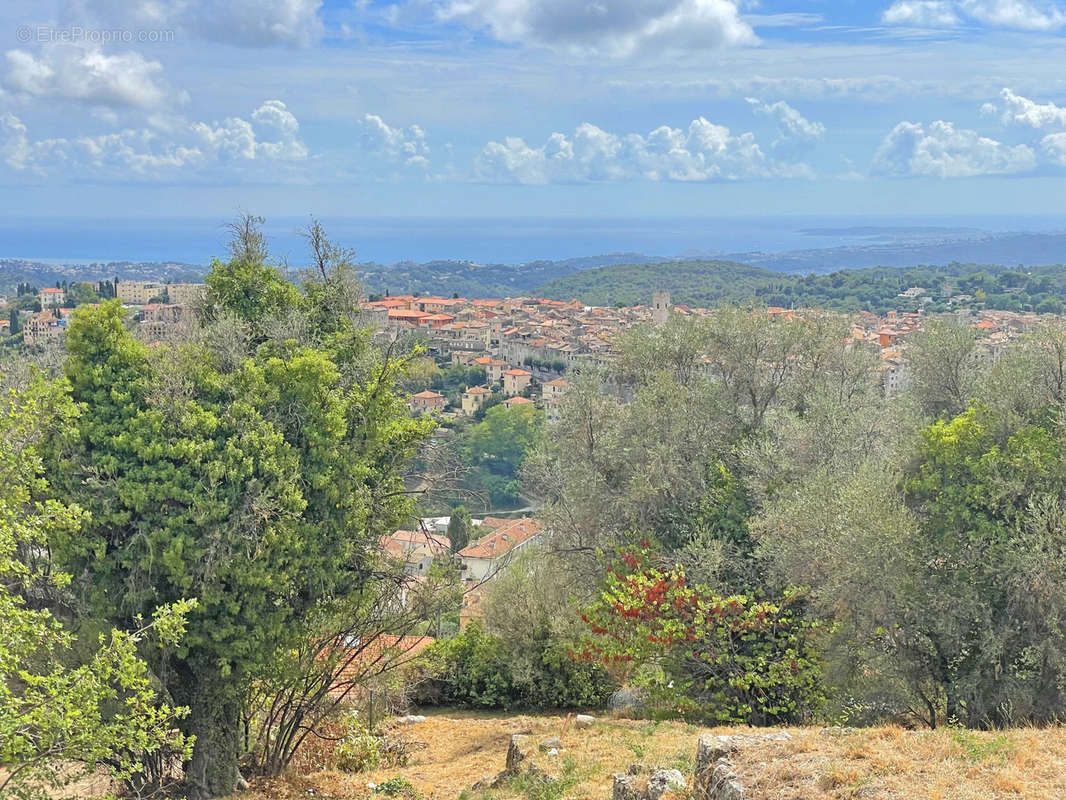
[215,719]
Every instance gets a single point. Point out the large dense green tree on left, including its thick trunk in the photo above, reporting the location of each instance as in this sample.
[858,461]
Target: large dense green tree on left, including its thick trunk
[255,469]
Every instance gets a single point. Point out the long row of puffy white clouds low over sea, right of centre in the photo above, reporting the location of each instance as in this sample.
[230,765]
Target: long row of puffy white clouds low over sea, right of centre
[705,152]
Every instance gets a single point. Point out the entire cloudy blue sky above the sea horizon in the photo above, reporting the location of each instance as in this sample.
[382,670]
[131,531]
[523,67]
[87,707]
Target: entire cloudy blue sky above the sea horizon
[599,108]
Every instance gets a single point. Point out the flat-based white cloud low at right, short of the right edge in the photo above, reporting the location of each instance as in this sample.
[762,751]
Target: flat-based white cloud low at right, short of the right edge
[944,151]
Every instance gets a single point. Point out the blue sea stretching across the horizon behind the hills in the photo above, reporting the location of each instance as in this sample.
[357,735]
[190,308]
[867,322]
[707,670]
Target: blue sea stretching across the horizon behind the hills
[486,241]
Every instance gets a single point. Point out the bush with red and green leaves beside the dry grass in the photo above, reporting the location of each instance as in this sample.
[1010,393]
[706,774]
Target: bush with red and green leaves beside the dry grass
[721,659]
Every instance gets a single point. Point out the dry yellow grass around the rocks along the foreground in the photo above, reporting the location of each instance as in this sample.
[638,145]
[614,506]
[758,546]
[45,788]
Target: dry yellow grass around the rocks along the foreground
[882,763]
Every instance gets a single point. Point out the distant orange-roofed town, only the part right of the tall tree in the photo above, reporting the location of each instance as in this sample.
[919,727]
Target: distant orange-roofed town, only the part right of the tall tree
[526,345]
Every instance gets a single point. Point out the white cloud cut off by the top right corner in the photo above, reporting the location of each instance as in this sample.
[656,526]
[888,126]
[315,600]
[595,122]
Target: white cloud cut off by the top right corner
[1025,15]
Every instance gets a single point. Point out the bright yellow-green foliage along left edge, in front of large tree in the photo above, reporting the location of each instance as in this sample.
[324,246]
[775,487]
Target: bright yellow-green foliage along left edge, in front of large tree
[62,718]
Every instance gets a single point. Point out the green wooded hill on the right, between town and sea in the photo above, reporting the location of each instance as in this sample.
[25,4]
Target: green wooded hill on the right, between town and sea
[878,290]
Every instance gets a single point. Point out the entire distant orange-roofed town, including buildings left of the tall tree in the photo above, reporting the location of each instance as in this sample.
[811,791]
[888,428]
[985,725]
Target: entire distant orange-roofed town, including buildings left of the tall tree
[525,346]
